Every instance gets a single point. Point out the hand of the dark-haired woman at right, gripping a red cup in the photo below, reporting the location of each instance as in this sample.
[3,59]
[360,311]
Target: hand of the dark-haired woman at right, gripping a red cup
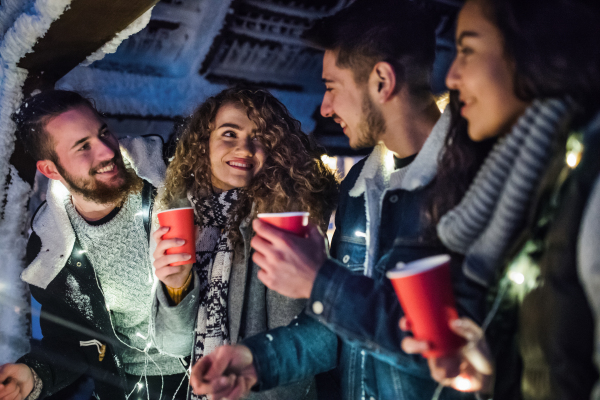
[470,370]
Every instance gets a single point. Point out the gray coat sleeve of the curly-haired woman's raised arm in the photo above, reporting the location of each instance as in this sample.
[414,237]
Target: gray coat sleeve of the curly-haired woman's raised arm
[174,325]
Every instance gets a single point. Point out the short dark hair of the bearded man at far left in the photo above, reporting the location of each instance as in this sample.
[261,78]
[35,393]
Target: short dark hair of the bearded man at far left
[36,111]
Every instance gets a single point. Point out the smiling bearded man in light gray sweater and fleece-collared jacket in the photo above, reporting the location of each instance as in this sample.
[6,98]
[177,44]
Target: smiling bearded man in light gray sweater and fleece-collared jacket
[88,257]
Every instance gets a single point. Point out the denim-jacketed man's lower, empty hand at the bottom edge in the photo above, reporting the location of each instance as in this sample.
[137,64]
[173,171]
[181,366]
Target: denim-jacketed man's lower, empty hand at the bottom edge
[226,373]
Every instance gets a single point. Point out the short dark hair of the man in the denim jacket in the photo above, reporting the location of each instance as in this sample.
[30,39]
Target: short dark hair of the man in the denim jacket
[399,32]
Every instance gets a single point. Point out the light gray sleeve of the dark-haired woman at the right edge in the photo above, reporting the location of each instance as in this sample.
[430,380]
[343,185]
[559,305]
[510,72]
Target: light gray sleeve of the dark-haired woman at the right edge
[589,264]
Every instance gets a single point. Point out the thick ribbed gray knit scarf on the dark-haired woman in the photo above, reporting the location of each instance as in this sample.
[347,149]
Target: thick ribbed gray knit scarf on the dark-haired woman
[493,210]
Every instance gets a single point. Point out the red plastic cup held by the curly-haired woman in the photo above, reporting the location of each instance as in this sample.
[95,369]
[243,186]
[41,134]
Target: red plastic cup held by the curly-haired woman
[181,222]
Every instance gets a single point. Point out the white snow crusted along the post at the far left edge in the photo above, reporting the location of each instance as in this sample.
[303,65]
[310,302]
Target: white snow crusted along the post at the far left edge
[17,41]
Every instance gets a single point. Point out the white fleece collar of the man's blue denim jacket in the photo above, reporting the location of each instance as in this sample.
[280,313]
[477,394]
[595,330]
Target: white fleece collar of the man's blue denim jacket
[379,165]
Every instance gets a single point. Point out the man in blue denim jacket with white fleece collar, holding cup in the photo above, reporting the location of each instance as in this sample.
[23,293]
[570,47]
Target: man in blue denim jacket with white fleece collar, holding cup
[376,69]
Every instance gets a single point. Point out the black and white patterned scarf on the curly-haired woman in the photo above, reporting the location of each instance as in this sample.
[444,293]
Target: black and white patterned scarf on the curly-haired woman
[214,257]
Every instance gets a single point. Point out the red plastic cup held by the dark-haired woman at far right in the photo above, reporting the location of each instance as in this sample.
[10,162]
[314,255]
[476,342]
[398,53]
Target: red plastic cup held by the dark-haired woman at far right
[424,289]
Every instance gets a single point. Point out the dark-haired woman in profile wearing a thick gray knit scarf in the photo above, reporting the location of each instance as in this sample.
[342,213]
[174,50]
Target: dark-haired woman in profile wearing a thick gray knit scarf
[527,76]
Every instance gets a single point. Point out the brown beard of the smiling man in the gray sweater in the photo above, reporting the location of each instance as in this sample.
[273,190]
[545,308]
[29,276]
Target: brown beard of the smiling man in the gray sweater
[99,192]
